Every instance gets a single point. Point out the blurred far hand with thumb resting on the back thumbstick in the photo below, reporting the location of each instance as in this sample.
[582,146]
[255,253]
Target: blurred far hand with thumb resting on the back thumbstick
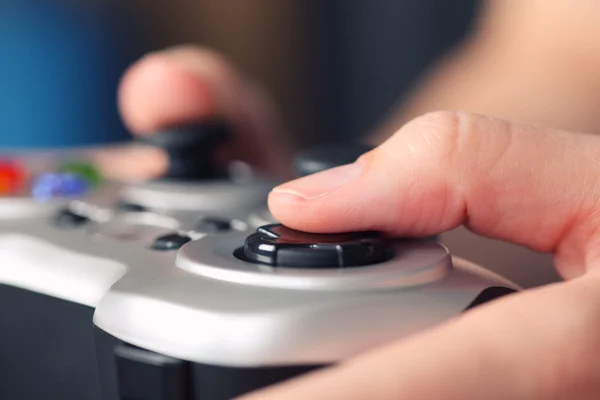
[186,85]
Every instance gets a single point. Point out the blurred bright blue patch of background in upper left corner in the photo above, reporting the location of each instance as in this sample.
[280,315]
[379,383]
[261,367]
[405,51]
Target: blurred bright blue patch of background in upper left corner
[59,72]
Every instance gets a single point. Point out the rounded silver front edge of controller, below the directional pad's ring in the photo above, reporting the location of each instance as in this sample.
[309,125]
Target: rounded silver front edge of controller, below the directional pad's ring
[216,321]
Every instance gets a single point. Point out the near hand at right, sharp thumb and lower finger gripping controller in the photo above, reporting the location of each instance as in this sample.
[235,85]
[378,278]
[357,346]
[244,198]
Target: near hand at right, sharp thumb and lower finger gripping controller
[536,187]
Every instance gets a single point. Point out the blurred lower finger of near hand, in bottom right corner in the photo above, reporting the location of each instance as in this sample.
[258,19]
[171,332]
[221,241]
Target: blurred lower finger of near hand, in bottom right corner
[538,344]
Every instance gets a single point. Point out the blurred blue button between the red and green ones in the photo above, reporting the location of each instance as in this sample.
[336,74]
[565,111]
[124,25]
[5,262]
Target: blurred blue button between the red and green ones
[58,185]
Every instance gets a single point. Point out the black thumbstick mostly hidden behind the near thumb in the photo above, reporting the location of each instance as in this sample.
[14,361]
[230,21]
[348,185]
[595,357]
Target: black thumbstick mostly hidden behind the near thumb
[327,156]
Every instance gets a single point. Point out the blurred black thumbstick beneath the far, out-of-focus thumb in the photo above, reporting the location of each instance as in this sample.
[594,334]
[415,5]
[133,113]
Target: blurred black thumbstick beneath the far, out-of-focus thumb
[191,148]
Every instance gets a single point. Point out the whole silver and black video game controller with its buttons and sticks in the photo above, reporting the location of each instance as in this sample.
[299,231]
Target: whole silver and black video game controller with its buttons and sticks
[186,288]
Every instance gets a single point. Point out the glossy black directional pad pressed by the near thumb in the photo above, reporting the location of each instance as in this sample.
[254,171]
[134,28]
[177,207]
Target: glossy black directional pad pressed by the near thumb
[278,245]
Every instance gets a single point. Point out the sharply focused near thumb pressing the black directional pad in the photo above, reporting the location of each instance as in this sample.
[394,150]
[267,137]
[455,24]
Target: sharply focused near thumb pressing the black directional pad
[532,186]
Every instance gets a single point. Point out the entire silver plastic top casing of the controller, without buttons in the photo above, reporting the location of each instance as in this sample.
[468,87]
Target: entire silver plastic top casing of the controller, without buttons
[204,305]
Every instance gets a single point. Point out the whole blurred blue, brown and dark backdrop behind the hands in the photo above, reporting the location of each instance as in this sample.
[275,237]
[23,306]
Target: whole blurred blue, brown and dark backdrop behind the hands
[334,67]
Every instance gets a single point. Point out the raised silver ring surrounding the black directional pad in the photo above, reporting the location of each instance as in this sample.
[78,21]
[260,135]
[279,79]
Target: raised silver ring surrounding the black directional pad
[414,264]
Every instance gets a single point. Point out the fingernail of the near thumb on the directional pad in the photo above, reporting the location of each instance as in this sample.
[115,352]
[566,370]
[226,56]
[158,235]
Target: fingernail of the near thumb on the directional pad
[321,183]
